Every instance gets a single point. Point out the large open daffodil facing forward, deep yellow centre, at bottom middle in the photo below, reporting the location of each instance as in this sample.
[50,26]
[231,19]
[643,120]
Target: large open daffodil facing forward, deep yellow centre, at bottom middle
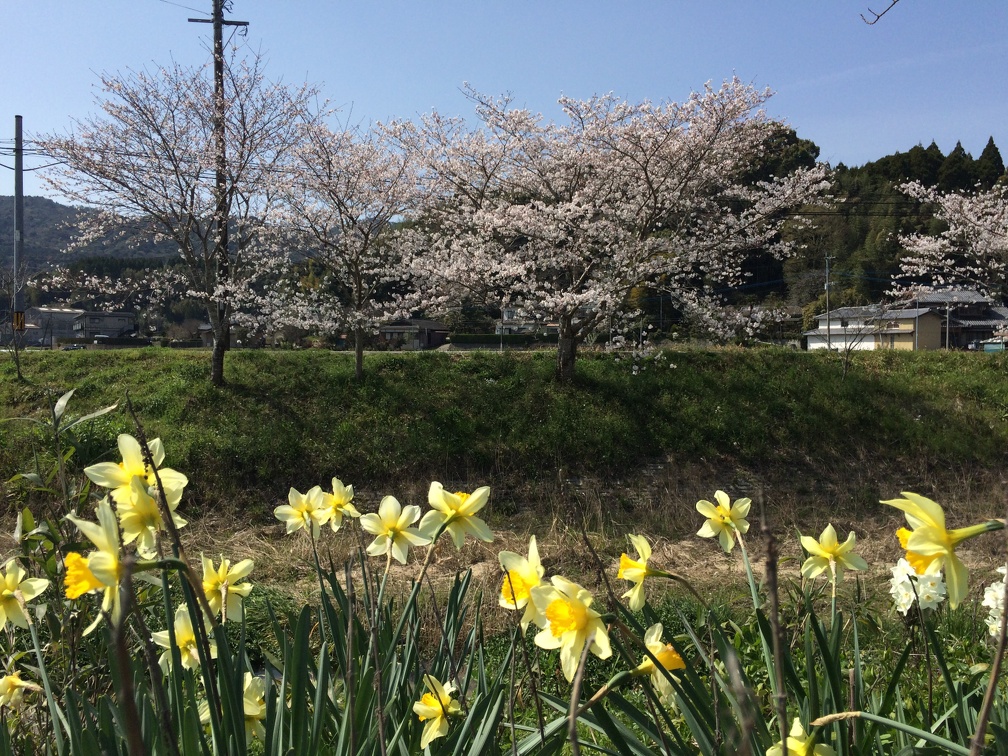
[565,614]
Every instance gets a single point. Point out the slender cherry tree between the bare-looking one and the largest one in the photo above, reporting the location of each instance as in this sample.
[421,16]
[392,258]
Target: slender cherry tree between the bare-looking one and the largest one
[342,199]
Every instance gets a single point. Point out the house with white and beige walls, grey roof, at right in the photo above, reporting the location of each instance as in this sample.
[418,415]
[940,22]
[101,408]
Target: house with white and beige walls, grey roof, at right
[874,327]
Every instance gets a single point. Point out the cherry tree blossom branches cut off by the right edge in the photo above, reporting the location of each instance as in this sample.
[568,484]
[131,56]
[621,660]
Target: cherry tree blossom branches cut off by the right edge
[972,251]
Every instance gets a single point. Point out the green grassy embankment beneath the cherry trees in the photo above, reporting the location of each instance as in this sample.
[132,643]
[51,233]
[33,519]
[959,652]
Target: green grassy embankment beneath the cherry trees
[294,419]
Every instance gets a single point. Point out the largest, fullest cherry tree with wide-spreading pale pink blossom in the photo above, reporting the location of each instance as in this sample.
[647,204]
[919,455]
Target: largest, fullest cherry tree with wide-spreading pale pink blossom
[563,221]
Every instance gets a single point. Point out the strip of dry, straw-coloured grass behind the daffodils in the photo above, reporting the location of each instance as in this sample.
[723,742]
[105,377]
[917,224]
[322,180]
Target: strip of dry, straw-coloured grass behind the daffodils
[662,508]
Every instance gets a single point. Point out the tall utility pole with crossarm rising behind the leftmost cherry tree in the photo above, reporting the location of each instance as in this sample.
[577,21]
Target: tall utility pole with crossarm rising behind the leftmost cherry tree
[221,181]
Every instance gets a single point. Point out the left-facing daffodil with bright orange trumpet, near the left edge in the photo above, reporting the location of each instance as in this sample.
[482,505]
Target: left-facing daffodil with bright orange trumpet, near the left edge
[101,570]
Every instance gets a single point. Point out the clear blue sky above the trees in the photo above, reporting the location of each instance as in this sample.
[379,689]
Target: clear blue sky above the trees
[929,70]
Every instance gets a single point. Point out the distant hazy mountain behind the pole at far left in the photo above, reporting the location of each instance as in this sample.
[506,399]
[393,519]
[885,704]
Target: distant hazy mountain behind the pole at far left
[49,230]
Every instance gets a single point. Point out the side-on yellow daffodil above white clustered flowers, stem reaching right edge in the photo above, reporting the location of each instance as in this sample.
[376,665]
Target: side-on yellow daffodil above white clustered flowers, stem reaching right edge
[931,539]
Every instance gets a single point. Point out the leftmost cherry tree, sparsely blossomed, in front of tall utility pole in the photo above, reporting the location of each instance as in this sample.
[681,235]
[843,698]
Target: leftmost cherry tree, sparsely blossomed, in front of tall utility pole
[147,165]
